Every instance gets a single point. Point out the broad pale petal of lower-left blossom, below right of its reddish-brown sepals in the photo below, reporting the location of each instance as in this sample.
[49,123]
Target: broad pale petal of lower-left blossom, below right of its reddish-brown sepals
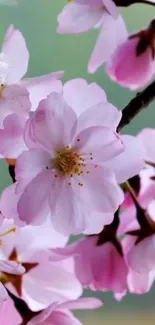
[41,289]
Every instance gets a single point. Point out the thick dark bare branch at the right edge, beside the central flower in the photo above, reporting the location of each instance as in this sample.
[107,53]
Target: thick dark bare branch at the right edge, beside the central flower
[136,105]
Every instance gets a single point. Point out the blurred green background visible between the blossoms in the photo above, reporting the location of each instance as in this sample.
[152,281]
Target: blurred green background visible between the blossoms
[49,52]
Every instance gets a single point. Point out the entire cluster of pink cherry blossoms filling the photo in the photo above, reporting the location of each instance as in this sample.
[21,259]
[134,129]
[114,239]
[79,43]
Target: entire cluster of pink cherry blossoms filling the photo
[73,173]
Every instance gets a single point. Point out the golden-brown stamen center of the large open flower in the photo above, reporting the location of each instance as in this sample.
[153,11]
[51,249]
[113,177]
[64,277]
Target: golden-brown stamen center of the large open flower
[67,162]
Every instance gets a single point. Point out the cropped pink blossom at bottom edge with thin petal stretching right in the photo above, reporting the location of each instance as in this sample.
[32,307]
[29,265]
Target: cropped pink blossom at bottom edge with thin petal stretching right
[60,313]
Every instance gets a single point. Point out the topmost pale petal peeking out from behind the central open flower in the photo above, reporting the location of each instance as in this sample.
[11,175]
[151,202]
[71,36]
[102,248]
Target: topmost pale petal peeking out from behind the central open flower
[80,95]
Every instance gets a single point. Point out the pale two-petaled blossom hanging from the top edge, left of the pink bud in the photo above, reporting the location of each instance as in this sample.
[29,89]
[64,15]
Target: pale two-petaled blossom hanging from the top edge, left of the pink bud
[82,16]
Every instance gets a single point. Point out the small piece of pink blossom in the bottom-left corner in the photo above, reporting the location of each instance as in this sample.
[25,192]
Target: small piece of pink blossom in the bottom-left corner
[9,314]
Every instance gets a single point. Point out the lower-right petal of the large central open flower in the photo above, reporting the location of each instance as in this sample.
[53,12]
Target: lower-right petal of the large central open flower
[99,191]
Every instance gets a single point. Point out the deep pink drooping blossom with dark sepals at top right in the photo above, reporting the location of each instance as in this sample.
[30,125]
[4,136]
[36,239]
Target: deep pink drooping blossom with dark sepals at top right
[132,64]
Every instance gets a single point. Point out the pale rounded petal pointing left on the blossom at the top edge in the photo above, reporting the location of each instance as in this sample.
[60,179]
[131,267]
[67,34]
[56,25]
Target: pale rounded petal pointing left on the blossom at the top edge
[76,18]
